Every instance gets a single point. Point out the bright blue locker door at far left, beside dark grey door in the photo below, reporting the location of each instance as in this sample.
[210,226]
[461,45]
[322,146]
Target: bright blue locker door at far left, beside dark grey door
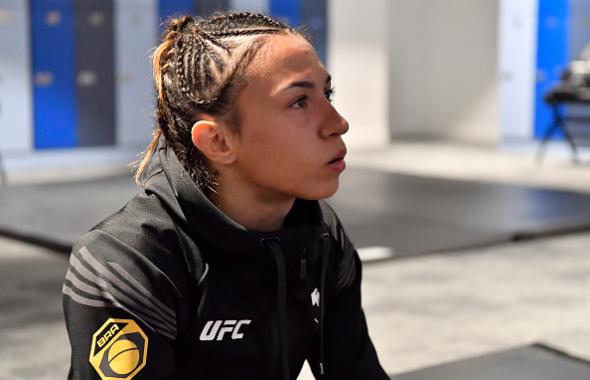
[54,89]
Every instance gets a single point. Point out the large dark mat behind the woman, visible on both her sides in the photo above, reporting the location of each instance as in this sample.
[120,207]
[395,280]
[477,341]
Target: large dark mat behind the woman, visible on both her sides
[410,214]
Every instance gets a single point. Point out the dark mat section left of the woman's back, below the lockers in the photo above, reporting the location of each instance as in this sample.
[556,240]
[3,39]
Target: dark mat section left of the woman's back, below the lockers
[54,214]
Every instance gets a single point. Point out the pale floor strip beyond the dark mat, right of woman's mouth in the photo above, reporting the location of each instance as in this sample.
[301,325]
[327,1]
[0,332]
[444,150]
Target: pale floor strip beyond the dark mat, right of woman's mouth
[512,163]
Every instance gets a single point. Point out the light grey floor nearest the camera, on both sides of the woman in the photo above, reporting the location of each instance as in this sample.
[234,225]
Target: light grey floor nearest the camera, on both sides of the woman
[421,311]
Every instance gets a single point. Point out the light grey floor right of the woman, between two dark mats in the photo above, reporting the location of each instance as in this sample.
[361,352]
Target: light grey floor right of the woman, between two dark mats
[439,308]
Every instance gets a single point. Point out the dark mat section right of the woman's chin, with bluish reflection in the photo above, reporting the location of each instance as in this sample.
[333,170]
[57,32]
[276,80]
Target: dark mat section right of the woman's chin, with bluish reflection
[418,215]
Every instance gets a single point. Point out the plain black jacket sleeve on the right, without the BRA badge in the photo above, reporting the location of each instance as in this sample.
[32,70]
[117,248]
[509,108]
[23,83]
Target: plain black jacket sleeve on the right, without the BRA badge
[349,352]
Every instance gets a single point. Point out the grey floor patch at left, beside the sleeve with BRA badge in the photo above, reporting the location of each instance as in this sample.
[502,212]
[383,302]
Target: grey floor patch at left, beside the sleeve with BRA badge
[33,340]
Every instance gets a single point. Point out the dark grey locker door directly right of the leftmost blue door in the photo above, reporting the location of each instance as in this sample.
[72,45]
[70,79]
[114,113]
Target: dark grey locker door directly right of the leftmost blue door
[95,72]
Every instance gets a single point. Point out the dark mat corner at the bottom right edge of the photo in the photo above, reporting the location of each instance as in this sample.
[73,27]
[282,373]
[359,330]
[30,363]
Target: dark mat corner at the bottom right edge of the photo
[535,362]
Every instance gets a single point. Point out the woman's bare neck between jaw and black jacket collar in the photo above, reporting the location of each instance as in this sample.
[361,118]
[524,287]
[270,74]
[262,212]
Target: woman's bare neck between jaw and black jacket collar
[253,209]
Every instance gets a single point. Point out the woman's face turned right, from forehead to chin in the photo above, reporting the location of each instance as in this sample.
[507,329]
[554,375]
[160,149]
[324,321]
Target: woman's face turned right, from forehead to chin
[290,140]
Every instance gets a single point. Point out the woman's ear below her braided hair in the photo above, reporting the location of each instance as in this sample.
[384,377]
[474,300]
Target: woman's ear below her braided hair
[214,141]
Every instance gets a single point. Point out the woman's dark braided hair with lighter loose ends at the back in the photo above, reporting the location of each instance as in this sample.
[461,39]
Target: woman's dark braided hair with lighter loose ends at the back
[198,69]
